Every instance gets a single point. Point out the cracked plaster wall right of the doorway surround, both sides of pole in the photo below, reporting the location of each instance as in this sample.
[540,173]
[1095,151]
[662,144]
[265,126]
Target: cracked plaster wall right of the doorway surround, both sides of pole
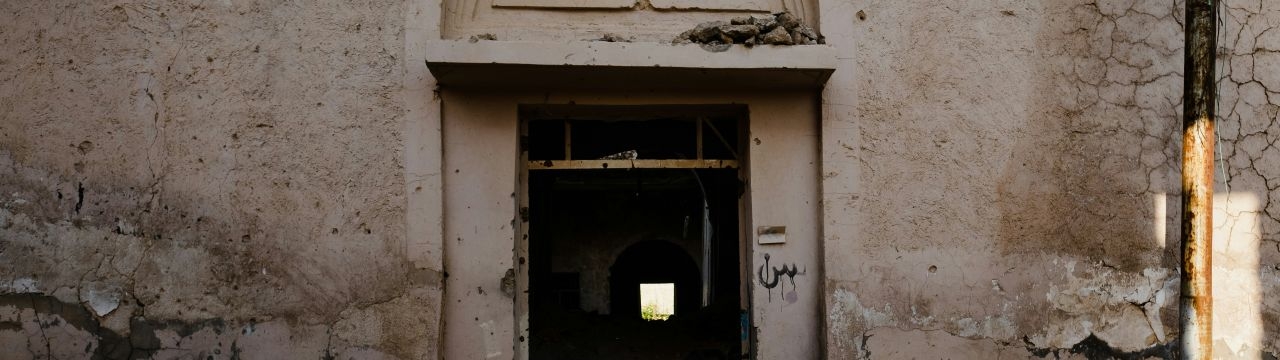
[1002,177]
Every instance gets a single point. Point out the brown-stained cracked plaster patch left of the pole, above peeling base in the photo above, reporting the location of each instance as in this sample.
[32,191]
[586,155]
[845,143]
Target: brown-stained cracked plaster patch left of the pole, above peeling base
[1103,144]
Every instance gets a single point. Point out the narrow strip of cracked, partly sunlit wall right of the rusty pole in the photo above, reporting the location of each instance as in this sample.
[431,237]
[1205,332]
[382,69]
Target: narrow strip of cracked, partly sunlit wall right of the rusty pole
[1247,208]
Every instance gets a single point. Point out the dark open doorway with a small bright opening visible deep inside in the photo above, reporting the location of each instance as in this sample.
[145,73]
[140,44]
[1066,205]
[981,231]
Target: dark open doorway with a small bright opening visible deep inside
[634,234]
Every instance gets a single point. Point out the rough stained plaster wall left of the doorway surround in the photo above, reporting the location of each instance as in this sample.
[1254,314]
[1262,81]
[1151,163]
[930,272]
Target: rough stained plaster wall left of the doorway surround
[207,179]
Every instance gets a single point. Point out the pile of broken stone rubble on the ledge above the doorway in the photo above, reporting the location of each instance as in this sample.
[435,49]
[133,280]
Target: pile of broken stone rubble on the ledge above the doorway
[781,29]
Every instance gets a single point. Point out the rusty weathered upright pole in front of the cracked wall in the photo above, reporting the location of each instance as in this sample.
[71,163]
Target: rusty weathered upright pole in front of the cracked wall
[1200,93]
